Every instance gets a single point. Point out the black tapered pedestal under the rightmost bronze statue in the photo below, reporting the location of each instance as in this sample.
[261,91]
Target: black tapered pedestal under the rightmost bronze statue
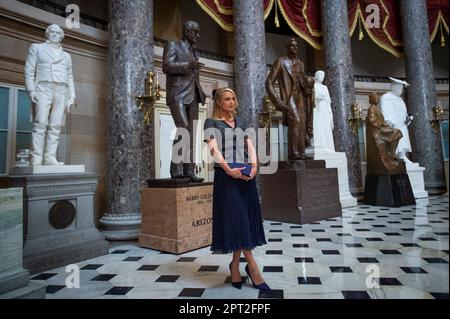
[388,190]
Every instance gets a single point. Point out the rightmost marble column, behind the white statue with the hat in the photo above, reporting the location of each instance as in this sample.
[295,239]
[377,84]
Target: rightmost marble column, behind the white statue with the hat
[426,145]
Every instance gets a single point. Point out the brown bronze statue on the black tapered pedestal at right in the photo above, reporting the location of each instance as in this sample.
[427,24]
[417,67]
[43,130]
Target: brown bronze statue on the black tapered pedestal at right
[381,143]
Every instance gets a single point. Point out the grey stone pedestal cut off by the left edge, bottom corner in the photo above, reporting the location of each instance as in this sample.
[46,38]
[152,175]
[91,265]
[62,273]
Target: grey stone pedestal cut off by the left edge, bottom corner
[14,280]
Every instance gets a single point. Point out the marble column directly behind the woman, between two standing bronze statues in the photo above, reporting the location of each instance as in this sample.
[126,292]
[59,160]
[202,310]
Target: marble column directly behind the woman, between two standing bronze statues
[249,58]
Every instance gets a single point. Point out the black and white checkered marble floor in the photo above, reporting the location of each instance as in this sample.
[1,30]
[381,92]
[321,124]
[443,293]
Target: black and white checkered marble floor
[371,252]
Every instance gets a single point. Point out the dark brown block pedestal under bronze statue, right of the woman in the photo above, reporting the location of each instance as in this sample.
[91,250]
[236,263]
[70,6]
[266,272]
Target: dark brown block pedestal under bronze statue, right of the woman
[301,192]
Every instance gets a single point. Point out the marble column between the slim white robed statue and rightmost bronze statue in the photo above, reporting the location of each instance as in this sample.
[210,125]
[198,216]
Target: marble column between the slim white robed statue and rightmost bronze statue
[340,82]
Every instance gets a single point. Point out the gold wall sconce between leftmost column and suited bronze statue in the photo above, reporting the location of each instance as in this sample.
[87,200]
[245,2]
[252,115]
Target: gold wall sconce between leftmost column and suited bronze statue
[146,103]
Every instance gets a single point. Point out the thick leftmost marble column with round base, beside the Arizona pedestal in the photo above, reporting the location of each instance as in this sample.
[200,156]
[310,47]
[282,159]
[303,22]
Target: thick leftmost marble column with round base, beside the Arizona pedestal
[129,142]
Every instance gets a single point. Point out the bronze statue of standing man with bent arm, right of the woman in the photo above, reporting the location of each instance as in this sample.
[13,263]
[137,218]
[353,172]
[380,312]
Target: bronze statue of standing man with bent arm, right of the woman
[296,99]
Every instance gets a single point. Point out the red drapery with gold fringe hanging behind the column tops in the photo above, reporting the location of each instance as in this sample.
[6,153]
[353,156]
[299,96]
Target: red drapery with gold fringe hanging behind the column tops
[304,18]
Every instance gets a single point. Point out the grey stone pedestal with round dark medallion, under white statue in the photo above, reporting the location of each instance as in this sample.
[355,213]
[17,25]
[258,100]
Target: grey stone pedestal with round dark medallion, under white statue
[59,220]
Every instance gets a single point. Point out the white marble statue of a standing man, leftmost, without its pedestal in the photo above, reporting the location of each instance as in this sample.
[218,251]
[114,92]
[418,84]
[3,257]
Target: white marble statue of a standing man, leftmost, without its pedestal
[49,83]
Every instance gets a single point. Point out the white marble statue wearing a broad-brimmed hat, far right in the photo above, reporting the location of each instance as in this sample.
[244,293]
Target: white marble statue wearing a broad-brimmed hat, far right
[396,115]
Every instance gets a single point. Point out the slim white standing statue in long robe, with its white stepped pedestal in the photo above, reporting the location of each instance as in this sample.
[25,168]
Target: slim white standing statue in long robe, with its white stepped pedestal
[323,142]
